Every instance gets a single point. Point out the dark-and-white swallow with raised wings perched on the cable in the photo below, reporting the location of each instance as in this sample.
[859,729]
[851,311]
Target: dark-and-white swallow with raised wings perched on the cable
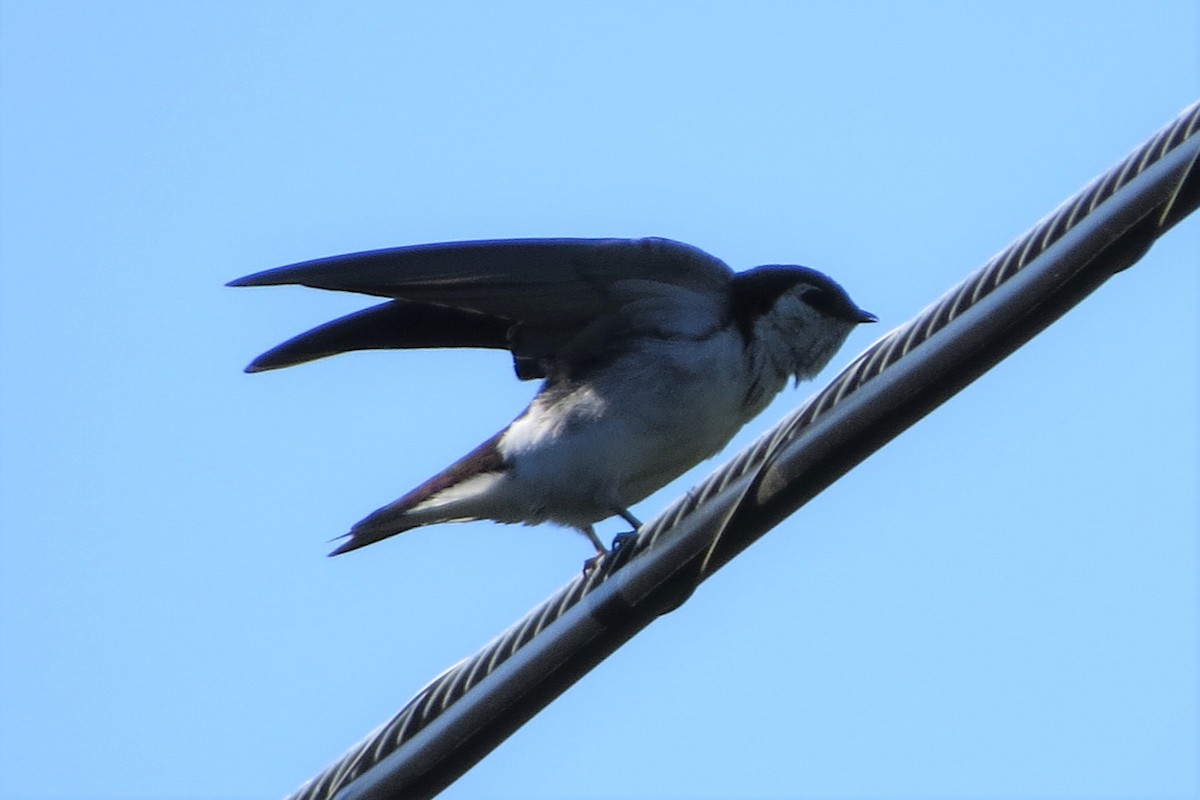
[652,353]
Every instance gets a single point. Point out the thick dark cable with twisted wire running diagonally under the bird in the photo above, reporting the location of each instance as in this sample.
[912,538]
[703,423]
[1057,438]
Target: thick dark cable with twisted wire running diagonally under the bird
[469,709]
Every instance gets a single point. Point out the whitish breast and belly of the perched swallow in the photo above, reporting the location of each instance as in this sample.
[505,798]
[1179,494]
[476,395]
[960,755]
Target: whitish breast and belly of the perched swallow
[586,450]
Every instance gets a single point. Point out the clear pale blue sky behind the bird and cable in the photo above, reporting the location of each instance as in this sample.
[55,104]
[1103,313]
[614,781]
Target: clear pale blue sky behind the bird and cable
[1003,604]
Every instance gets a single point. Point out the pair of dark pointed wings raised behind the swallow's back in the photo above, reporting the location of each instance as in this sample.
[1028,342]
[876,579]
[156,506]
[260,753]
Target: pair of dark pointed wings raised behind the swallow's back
[529,296]
